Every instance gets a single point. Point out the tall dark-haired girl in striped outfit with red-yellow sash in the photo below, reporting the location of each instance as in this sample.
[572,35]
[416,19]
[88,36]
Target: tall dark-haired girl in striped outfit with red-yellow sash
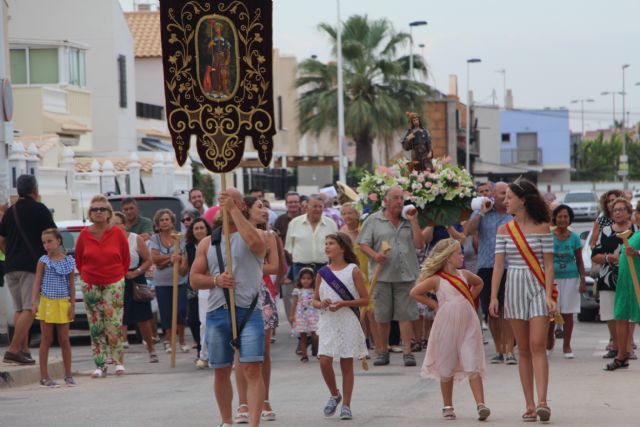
[527,245]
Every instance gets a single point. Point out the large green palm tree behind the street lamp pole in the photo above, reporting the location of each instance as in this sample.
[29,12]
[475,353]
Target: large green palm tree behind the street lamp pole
[377,88]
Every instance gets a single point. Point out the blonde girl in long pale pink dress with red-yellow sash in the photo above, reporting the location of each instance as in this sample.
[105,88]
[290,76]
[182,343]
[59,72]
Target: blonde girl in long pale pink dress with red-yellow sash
[455,349]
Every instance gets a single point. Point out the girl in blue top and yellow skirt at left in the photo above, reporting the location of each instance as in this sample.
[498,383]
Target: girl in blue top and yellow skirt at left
[54,287]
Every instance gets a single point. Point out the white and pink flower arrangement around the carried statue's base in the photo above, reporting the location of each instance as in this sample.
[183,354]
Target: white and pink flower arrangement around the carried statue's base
[442,196]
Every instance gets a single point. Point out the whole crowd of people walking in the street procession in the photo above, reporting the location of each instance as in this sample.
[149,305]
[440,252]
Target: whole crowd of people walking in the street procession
[320,260]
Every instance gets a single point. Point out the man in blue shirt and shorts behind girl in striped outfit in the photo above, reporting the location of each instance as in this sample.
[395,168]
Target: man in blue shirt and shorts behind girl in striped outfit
[486,222]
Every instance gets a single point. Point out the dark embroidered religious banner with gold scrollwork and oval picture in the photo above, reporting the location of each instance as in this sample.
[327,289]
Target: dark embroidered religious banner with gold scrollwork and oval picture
[217,58]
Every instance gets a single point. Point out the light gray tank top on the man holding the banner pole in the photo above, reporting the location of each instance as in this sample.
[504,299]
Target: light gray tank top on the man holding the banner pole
[247,272]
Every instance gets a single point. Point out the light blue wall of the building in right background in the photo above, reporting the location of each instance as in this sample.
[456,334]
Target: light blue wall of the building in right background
[552,127]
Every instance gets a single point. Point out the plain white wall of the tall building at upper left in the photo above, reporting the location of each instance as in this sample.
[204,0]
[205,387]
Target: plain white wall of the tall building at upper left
[101,25]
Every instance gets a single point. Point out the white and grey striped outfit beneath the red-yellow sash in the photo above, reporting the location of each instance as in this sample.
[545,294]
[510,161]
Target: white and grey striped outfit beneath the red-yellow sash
[525,298]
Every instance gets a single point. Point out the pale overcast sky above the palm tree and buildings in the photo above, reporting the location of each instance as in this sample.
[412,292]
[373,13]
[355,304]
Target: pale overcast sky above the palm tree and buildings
[552,51]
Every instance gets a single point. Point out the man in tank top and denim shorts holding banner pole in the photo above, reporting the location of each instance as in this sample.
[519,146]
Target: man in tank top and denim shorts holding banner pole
[248,250]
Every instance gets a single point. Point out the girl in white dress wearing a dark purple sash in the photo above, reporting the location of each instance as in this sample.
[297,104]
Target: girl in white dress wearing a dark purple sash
[339,291]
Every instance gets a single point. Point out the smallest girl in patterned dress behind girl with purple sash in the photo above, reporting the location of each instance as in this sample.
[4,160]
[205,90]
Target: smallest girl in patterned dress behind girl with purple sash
[304,316]
